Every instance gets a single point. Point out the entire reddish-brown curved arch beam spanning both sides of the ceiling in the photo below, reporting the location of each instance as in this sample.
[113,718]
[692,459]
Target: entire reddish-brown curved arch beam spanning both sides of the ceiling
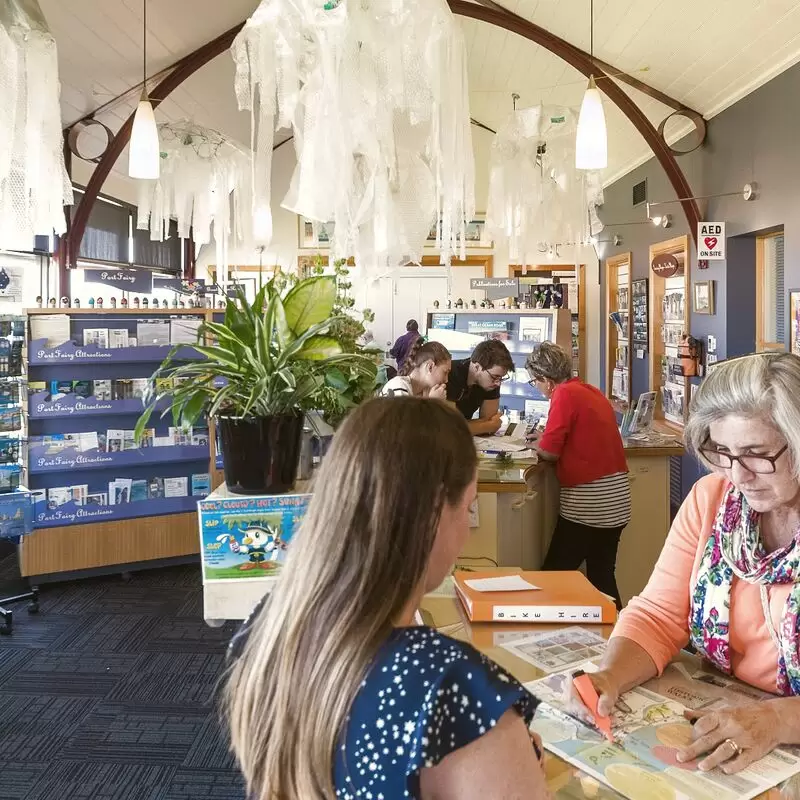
[574,56]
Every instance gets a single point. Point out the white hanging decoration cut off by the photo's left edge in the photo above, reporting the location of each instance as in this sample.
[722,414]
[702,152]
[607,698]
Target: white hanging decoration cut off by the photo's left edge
[34,185]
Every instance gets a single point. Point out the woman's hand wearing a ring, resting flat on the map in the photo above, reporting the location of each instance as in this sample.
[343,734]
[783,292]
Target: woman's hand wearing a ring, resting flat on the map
[755,730]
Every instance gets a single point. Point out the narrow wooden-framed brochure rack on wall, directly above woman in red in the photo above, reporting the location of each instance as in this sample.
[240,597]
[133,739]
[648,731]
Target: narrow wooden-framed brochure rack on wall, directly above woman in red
[618,335]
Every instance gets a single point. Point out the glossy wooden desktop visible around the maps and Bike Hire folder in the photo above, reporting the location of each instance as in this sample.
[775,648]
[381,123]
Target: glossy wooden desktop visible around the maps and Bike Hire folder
[564,781]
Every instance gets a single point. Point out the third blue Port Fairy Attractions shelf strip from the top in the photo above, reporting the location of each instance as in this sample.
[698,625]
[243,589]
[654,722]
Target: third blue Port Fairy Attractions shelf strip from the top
[41,462]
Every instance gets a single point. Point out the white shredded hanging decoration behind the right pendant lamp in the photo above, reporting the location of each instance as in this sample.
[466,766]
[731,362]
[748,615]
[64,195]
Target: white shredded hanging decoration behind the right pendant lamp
[537,198]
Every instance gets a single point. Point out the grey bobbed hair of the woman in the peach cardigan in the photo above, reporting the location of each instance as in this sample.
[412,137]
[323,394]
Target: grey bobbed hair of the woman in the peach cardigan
[765,385]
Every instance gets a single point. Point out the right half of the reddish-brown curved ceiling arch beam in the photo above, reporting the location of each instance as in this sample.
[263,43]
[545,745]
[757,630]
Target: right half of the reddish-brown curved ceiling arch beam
[582,62]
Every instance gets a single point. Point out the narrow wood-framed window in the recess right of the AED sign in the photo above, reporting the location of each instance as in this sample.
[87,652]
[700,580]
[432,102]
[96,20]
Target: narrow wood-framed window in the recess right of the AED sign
[770,295]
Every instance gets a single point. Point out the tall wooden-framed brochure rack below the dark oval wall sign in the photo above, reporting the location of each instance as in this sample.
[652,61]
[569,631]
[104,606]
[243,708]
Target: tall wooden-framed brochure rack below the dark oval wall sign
[669,324]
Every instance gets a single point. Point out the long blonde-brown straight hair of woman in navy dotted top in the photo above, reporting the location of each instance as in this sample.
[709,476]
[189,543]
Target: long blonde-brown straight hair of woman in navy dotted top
[359,557]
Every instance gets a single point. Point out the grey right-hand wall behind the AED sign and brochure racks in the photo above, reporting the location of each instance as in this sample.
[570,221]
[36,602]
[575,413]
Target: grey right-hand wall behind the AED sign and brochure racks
[755,140]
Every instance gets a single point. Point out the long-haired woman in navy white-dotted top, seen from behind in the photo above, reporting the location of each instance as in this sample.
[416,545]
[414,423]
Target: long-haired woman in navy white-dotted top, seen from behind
[332,690]
